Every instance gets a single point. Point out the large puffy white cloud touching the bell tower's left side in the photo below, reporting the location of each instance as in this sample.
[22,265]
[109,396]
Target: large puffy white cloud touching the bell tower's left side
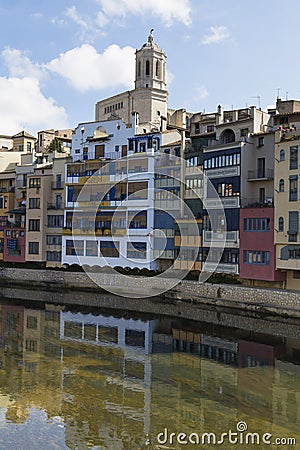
[86,69]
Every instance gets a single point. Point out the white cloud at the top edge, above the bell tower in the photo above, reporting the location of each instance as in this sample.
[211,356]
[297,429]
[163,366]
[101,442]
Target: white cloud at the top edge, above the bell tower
[168,11]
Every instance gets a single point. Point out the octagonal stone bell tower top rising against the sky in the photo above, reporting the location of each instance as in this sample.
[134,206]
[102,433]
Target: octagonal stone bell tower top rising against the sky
[150,66]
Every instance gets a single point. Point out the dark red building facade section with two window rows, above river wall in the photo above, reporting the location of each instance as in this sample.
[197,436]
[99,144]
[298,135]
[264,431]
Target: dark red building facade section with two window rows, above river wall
[257,250]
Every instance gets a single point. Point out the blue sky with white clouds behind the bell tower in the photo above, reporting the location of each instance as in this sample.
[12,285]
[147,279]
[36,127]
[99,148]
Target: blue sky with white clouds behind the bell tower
[59,57]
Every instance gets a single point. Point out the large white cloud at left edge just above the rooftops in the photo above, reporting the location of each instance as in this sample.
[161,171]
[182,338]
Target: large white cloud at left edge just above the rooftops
[24,105]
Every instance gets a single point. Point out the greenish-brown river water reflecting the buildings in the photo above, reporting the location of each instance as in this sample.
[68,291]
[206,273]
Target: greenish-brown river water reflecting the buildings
[73,378]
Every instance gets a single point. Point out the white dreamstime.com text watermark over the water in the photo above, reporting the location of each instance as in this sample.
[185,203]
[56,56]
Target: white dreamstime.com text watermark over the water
[239,436]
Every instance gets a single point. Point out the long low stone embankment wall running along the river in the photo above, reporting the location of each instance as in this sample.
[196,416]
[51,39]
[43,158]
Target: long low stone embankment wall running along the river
[275,301]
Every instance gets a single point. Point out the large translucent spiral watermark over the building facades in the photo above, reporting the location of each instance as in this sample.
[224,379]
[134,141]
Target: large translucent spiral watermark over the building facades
[125,215]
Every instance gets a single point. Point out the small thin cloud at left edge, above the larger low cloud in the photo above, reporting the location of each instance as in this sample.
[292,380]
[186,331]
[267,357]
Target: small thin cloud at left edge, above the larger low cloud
[19,65]
